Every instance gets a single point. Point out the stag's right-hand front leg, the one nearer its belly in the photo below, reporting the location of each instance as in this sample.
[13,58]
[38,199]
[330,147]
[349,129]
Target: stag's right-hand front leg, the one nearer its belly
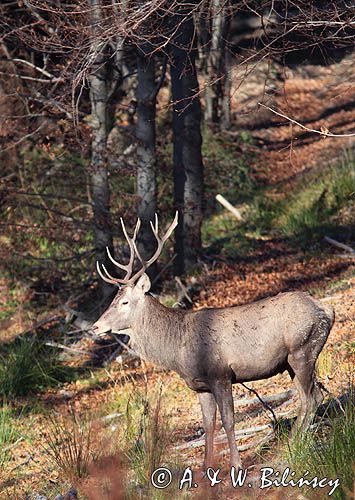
[222,391]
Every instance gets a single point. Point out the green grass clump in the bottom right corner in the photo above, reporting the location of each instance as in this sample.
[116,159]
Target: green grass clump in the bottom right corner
[328,452]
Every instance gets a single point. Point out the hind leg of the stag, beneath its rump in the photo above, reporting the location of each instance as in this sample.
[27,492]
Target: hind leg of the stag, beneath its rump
[303,368]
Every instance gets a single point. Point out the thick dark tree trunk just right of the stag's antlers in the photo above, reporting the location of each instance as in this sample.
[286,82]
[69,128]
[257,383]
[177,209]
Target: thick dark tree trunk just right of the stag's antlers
[187,157]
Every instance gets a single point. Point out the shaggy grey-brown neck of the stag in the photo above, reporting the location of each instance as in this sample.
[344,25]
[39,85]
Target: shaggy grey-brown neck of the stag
[156,333]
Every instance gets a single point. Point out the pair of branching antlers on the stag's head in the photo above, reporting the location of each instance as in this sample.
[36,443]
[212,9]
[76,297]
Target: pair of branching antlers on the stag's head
[129,279]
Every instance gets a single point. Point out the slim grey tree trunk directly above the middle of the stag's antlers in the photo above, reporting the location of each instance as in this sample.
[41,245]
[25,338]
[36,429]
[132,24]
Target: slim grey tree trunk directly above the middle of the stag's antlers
[145,133]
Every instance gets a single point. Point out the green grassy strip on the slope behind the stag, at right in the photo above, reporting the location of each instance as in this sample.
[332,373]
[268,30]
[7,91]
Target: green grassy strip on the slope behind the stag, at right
[320,204]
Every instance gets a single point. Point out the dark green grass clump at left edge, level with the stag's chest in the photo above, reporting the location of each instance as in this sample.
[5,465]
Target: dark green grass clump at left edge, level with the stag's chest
[28,365]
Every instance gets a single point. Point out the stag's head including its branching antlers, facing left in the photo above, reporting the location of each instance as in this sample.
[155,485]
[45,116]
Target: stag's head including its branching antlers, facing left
[131,296]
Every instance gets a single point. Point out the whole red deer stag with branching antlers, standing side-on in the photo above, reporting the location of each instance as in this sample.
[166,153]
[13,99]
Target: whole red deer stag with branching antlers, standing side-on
[211,349]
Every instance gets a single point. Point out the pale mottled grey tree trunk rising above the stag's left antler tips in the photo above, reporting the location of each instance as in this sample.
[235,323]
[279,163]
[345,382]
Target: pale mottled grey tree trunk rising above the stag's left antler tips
[99,97]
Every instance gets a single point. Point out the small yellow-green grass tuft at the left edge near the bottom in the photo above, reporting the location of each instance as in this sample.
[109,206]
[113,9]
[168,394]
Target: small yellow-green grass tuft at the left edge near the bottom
[9,433]
